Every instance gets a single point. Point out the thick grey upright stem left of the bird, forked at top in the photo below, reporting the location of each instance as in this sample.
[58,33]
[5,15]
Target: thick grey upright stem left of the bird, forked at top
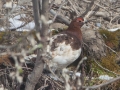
[39,64]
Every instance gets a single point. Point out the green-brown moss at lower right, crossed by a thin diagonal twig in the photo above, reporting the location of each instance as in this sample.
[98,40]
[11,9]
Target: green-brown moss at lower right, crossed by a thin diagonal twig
[106,62]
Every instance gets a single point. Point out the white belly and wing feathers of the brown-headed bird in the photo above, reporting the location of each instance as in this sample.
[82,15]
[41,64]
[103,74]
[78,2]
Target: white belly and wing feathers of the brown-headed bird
[63,55]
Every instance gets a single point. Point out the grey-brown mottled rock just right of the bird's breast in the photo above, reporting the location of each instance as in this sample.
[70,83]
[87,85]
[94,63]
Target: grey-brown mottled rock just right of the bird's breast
[94,43]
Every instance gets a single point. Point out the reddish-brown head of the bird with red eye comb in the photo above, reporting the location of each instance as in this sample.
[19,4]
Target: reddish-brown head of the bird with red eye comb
[77,22]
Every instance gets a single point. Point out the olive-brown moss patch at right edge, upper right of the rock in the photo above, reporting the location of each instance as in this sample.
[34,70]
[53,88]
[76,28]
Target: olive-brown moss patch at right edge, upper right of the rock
[111,38]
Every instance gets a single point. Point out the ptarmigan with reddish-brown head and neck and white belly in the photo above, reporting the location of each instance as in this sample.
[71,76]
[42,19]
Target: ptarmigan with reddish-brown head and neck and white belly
[66,47]
